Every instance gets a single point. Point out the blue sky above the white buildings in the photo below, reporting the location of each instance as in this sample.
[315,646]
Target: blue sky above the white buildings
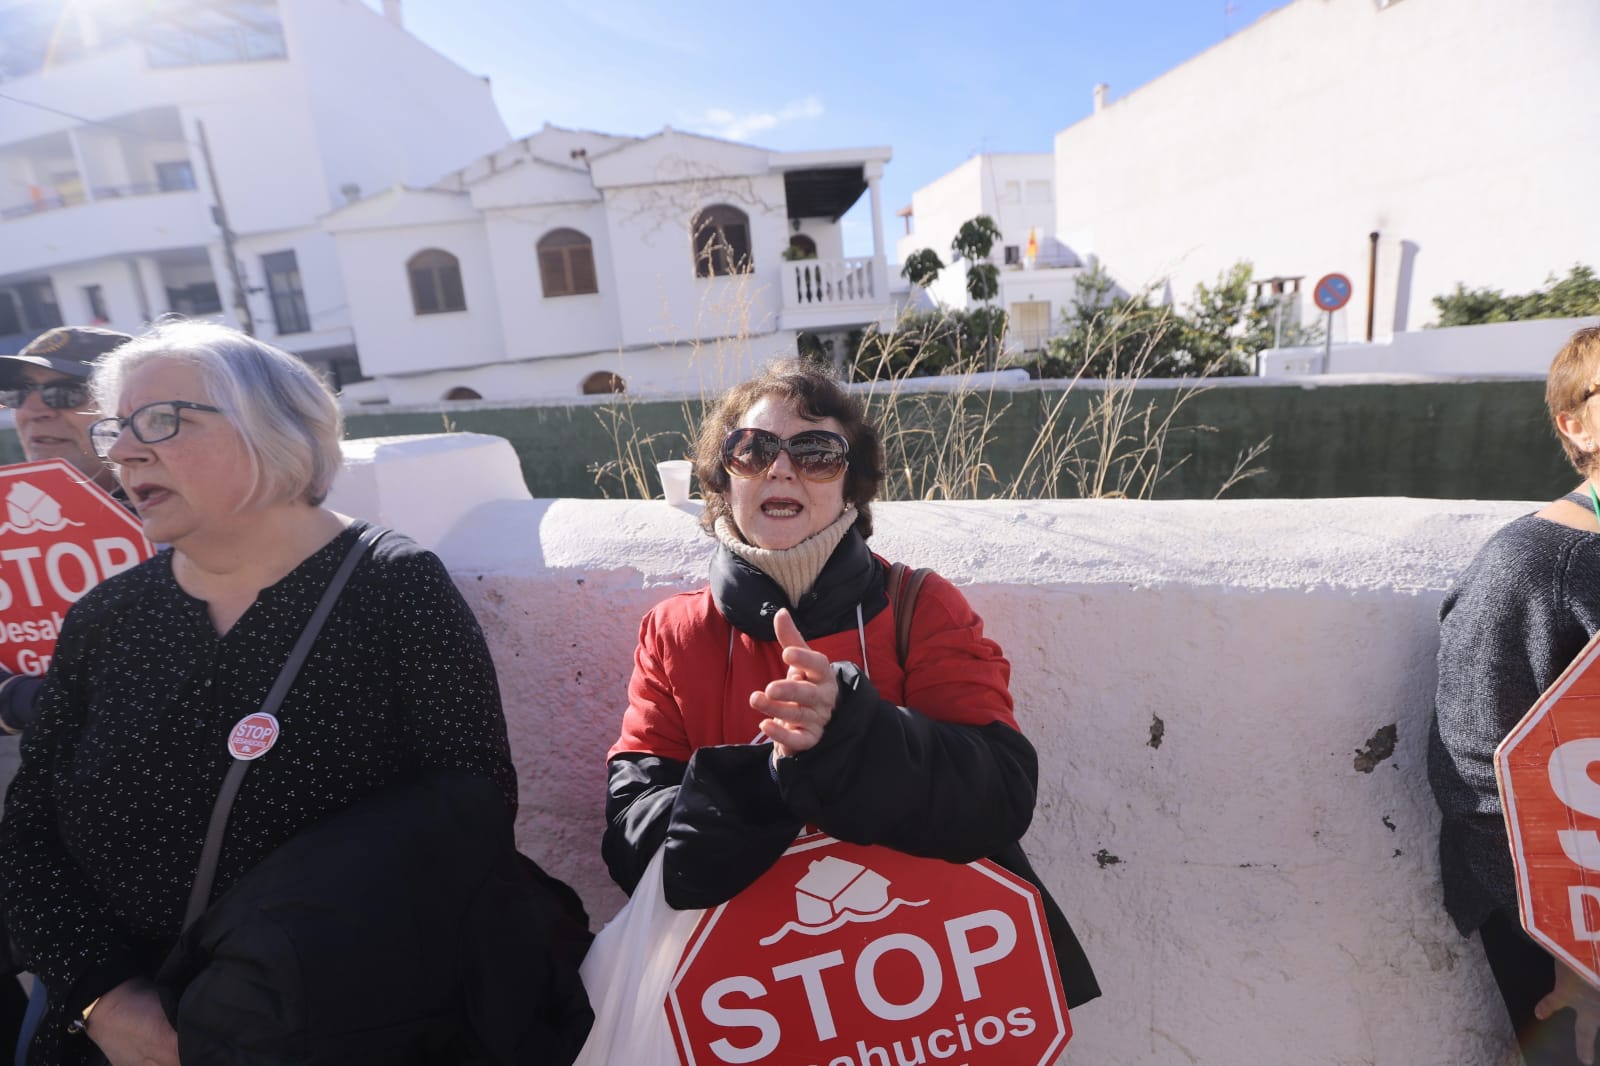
[938,82]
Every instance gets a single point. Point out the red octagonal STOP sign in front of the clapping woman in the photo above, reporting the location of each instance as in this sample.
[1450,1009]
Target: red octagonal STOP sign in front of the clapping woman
[860,956]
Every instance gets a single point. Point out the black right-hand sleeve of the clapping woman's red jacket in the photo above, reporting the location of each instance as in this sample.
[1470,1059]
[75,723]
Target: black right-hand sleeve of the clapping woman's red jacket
[894,777]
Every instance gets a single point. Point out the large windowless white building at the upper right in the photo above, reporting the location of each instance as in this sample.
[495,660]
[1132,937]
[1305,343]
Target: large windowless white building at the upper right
[1460,132]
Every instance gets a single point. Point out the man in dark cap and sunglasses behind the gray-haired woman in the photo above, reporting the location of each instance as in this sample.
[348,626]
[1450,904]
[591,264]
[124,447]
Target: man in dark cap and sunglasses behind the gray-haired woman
[49,393]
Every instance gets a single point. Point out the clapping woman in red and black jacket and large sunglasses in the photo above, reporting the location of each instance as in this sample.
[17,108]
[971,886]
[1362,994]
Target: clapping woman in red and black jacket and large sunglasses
[777,699]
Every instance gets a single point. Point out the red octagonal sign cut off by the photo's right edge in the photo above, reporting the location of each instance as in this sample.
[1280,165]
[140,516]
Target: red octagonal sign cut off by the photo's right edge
[1553,814]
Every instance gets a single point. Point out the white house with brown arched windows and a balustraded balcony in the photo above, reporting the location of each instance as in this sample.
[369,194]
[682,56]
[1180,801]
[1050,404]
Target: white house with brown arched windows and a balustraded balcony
[575,262]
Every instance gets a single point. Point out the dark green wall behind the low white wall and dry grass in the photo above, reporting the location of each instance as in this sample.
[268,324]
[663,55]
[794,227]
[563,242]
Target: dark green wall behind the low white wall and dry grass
[1463,441]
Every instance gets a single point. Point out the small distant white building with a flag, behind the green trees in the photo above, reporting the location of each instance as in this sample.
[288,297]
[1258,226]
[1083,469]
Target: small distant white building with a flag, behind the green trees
[1017,190]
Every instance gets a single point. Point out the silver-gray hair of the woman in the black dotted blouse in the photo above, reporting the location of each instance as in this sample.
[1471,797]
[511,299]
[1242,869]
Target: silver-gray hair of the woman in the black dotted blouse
[281,407]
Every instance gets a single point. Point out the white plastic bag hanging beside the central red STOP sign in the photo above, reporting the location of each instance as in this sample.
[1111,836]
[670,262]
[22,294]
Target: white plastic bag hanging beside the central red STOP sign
[628,972]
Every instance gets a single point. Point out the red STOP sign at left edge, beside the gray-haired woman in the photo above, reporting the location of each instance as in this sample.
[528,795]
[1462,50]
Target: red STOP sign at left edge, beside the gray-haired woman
[60,537]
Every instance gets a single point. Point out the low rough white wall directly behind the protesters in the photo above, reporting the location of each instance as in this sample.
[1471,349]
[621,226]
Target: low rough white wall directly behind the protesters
[1199,679]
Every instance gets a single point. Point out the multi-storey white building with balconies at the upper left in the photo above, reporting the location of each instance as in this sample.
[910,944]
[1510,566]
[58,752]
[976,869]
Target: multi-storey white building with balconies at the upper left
[110,199]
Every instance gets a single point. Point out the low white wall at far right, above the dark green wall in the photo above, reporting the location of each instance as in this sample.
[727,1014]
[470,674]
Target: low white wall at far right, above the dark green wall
[1498,348]
